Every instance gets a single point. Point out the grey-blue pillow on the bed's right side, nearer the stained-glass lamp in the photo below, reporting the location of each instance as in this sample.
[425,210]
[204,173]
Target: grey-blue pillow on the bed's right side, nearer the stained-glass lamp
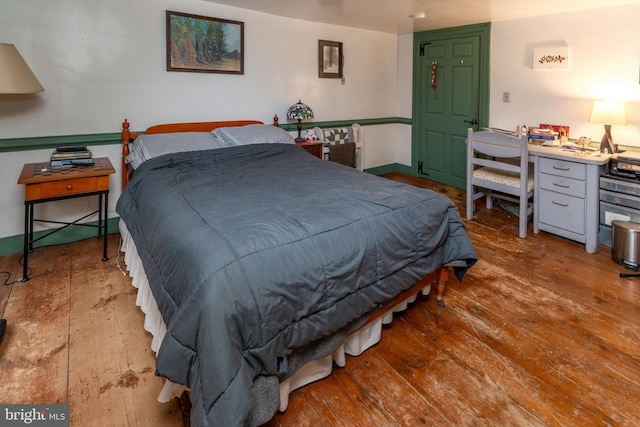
[252,134]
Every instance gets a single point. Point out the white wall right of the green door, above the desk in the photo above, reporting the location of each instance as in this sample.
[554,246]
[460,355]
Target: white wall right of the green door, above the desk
[604,65]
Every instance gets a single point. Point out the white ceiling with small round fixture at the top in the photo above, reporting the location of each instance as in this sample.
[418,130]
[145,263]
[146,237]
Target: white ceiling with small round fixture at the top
[392,16]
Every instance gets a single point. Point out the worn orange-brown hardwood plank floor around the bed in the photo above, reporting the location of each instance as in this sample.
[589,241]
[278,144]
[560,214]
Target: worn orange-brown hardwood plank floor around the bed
[538,333]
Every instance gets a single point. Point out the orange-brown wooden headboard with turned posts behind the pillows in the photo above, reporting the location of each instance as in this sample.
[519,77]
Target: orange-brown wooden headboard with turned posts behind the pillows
[128,136]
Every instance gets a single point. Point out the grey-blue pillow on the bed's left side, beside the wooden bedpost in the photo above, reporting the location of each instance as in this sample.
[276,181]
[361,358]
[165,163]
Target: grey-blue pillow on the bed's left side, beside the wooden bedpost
[147,147]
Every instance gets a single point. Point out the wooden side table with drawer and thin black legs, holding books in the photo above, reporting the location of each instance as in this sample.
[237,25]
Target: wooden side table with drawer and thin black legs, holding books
[44,184]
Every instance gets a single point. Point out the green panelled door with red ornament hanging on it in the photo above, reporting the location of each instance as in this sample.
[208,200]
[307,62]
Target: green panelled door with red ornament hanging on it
[446,103]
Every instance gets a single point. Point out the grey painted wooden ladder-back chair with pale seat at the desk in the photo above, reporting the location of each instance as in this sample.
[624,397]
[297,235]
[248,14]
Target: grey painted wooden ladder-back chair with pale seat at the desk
[498,167]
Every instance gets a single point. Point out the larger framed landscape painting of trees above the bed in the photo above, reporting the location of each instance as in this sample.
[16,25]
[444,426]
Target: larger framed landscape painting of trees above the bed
[202,44]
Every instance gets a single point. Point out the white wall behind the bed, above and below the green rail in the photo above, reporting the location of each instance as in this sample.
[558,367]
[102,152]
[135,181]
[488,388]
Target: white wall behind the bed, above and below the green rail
[101,61]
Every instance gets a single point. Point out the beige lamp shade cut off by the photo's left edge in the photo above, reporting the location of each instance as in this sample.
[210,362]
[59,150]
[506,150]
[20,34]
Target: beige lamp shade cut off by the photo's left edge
[15,75]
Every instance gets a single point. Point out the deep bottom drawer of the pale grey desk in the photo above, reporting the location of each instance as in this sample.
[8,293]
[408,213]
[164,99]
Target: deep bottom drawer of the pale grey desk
[562,211]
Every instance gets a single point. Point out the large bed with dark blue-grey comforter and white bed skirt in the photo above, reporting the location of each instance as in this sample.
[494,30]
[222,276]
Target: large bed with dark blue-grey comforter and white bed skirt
[258,265]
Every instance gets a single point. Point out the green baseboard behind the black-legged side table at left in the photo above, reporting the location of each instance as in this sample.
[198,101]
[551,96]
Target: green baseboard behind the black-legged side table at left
[15,244]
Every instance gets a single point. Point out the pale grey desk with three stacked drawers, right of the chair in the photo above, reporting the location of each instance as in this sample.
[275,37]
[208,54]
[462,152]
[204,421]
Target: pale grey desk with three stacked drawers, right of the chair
[566,199]
